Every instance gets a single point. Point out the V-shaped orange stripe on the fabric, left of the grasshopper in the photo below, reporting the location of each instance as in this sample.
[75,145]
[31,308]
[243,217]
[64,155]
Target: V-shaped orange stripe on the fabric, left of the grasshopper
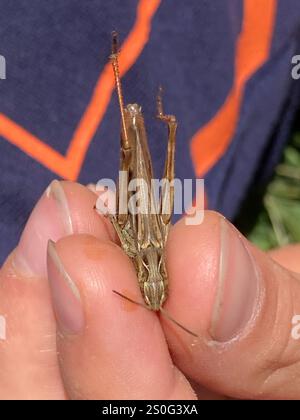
[69,166]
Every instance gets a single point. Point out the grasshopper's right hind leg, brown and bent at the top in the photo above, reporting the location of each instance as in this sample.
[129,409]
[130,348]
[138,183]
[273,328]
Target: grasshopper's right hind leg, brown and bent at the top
[167,196]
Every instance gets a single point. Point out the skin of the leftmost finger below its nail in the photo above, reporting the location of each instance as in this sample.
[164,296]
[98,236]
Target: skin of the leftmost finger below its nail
[28,361]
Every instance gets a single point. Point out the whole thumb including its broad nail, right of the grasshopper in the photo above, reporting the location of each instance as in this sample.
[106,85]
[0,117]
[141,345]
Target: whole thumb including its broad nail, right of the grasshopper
[242,304]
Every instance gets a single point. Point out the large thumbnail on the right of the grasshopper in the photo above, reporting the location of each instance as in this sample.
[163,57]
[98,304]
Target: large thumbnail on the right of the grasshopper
[238,287]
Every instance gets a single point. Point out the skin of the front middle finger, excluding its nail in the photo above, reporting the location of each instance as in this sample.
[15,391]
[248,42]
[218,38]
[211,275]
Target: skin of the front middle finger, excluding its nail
[121,353]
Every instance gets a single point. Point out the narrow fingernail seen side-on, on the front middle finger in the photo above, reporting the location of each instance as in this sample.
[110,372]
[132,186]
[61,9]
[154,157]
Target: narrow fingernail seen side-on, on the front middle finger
[65,294]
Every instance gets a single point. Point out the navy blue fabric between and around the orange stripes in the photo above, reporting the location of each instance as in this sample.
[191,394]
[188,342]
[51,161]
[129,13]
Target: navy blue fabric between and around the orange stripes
[55,51]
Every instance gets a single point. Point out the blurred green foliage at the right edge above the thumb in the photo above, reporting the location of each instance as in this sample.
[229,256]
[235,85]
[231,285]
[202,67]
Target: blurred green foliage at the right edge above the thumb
[271,217]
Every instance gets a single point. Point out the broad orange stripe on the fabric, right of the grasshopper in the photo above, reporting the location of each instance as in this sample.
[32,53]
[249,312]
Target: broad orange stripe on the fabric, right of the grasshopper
[252,51]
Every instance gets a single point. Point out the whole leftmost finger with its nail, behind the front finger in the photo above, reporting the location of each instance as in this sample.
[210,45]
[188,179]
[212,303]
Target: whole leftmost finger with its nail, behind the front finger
[28,356]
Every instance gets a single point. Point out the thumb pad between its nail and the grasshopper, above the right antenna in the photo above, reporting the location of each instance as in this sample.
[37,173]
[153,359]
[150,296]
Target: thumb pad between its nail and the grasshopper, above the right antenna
[193,254]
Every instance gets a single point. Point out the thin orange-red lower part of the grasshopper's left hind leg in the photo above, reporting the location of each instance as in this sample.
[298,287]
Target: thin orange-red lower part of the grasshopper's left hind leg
[115,64]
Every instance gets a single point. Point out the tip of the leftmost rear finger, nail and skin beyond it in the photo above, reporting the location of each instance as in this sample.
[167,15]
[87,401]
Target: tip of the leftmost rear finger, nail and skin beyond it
[64,208]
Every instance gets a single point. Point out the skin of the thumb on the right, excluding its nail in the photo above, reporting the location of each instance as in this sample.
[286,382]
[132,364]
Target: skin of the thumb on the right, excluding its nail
[263,360]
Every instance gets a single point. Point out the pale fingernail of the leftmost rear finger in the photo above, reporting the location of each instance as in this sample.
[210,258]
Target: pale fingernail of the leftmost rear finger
[50,219]
